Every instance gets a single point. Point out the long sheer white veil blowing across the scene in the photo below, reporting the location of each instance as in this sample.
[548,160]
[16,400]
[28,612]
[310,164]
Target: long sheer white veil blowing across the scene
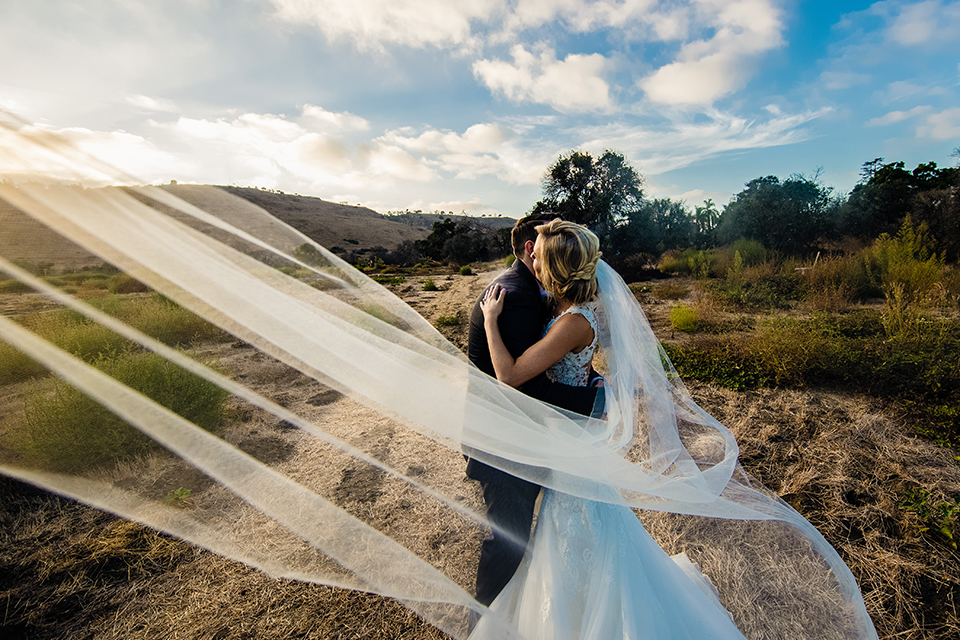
[302,310]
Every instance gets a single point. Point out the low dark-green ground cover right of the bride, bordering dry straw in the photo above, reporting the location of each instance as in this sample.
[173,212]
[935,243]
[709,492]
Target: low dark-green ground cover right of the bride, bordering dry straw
[850,351]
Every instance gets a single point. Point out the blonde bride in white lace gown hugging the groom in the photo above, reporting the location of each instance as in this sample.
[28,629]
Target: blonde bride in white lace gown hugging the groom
[591,571]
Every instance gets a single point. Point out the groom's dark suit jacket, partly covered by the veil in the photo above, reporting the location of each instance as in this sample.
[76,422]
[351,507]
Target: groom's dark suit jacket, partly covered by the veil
[521,325]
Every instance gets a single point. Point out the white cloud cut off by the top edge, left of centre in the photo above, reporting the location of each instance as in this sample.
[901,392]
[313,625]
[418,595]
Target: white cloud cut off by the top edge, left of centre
[373,23]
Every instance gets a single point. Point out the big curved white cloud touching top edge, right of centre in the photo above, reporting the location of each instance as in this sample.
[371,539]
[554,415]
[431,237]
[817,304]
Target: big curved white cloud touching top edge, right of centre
[706,70]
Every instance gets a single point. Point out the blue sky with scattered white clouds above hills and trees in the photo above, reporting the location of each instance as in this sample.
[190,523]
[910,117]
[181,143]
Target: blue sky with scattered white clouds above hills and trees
[461,105]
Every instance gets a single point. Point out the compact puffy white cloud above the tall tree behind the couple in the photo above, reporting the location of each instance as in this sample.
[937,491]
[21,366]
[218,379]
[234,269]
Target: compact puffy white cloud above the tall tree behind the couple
[574,84]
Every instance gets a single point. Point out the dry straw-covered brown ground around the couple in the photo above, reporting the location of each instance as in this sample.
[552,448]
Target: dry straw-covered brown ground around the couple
[69,571]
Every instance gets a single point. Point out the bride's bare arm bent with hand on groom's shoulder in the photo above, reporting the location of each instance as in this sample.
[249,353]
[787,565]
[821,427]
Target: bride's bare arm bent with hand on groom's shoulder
[570,332]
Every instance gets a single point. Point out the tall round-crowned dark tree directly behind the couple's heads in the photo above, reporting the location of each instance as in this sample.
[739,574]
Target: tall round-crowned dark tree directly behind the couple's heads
[595,192]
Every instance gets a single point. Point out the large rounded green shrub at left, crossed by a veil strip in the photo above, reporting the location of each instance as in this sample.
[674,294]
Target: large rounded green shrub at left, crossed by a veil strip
[65,430]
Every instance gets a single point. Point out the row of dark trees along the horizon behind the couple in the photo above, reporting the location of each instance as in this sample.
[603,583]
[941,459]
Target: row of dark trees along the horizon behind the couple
[797,215]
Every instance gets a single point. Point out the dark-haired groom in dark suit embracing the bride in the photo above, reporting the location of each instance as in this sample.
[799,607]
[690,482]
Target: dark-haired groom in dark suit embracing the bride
[510,500]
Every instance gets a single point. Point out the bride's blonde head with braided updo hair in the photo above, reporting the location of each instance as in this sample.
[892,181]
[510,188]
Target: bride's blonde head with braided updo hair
[568,260]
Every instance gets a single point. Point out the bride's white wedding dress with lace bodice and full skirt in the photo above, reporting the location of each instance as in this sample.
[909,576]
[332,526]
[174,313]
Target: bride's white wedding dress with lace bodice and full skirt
[593,572]
